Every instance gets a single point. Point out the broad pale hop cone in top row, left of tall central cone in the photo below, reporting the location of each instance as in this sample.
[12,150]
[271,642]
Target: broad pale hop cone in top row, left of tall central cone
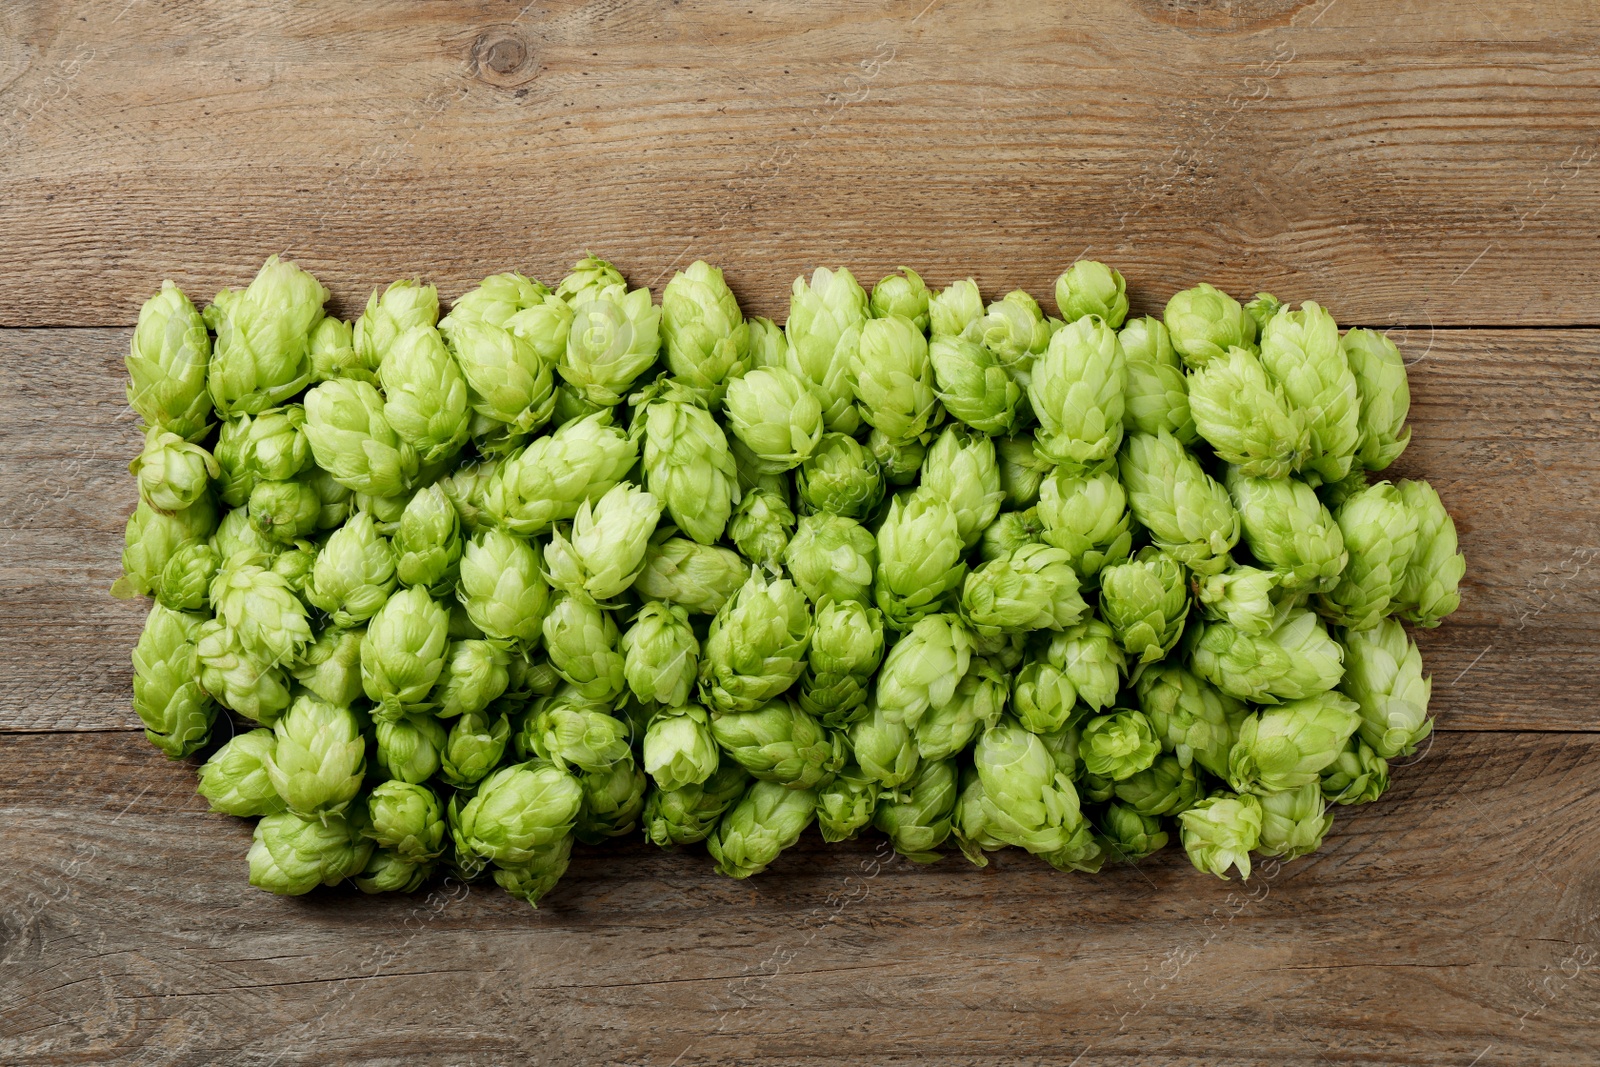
[614,340]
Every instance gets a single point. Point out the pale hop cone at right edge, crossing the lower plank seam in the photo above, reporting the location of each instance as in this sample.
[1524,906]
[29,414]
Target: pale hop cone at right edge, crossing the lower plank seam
[1383,674]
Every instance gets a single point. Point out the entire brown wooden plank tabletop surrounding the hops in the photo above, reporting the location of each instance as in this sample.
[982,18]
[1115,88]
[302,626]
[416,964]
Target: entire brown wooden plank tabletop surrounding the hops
[1428,167]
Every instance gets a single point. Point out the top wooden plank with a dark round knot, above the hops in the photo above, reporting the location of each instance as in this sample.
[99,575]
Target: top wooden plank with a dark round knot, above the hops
[1422,164]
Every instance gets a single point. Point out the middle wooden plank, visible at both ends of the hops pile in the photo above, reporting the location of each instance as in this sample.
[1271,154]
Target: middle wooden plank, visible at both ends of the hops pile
[1503,426]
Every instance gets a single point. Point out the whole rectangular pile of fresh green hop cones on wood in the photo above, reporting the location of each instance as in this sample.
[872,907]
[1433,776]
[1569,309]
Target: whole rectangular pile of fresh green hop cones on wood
[574,565]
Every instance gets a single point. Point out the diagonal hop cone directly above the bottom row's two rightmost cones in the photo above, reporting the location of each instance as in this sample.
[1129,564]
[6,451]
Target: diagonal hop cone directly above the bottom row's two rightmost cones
[1289,746]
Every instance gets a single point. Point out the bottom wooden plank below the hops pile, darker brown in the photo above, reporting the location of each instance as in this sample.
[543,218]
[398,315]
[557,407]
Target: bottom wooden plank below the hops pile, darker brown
[1452,921]
